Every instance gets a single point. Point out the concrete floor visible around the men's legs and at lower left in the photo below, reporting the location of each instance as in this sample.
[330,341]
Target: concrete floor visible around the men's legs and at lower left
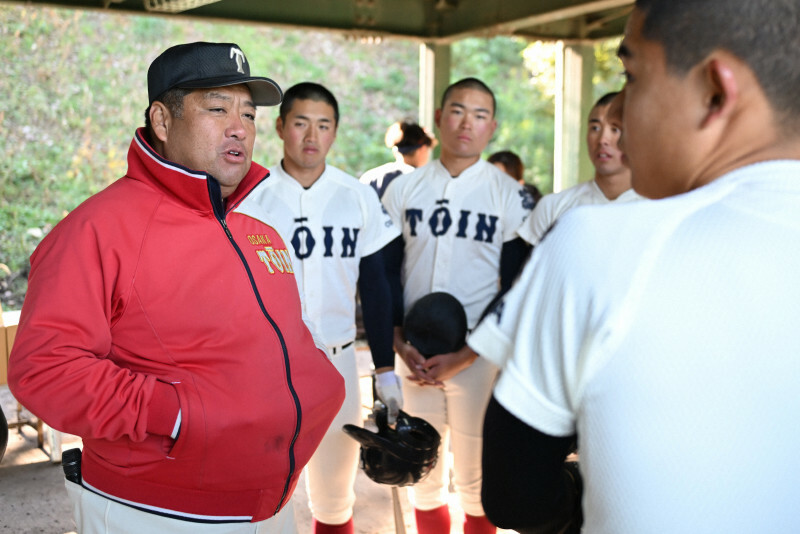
[33,499]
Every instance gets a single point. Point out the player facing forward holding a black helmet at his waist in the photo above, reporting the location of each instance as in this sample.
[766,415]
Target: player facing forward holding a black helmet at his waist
[458,216]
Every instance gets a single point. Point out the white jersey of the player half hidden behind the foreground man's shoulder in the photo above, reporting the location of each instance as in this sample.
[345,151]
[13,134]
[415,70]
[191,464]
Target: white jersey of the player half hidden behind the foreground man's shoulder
[551,207]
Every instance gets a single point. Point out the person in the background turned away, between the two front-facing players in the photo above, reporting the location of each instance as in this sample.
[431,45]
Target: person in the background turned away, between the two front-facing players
[411,146]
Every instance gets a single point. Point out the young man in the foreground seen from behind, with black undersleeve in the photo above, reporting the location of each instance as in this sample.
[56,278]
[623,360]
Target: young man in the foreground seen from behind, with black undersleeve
[663,335]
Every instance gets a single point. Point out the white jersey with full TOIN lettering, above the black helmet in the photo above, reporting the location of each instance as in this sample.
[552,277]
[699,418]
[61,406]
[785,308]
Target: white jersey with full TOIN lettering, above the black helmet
[454,230]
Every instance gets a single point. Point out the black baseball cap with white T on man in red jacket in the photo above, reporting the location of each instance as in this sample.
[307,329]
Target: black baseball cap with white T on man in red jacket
[200,65]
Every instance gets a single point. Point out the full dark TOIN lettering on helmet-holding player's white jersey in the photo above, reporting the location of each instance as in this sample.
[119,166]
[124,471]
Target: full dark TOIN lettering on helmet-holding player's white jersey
[480,227]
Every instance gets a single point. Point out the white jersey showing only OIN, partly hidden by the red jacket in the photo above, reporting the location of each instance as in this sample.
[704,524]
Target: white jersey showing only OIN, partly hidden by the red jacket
[331,226]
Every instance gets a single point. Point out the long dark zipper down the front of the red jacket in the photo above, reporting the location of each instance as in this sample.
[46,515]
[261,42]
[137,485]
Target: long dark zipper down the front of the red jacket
[219,214]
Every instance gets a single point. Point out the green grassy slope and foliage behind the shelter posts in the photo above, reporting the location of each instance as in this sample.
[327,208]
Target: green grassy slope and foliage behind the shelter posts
[74,87]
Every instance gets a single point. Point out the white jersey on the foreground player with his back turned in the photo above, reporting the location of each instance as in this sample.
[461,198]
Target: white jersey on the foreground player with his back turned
[665,334]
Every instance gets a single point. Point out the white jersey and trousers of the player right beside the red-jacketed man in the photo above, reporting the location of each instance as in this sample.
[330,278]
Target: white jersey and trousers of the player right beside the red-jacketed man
[331,226]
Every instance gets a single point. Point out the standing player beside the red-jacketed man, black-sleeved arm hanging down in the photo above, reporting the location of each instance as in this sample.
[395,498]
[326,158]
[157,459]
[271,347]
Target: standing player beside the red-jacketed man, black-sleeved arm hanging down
[337,228]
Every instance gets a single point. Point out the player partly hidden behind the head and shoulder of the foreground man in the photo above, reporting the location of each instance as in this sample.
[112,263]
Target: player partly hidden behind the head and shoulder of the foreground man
[612,177]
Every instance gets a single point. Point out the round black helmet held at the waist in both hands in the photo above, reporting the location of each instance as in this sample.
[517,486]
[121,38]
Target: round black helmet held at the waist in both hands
[436,324]
